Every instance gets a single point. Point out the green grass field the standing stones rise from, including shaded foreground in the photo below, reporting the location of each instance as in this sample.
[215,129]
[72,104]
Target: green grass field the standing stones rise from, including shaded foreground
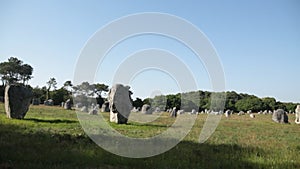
[50,137]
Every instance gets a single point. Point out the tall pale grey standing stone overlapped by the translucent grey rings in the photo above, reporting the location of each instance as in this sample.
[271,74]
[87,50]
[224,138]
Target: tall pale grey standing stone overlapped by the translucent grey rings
[119,103]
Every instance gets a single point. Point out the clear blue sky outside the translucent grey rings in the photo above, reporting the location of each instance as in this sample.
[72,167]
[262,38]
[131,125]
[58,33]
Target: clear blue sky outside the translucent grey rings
[258,42]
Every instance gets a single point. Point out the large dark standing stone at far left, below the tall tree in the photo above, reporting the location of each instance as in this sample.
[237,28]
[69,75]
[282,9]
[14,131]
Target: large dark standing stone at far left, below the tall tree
[17,101]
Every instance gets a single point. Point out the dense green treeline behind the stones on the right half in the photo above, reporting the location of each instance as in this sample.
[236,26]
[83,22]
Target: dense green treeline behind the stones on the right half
[202,100]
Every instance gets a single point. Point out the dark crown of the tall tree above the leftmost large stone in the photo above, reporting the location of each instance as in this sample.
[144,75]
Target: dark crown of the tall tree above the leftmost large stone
[14,71]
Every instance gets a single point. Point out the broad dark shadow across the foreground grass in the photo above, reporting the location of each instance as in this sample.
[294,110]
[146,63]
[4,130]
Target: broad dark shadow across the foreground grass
[23,149]
